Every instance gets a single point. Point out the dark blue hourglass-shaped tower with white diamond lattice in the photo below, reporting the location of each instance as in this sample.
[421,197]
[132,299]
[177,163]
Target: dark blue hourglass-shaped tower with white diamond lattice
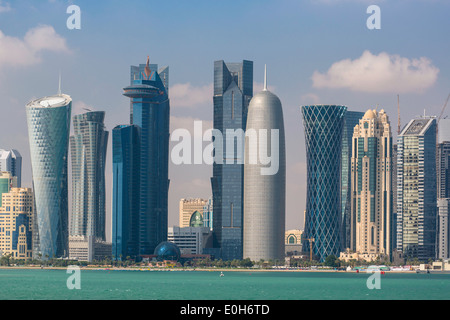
[323,126]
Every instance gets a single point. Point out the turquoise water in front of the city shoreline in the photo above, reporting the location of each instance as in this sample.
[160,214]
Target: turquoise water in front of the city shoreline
[208,285]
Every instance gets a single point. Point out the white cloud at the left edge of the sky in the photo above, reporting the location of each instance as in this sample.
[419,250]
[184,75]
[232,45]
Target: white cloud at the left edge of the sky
[18,53]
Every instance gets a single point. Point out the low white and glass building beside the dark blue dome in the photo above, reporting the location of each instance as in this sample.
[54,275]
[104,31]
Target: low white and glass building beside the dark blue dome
[190,240]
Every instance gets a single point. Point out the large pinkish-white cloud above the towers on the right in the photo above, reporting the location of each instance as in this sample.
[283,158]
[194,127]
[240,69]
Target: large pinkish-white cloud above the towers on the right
[382,73]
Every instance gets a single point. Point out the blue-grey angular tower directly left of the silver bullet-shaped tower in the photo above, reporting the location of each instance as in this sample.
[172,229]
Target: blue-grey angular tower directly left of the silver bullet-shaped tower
[233,90]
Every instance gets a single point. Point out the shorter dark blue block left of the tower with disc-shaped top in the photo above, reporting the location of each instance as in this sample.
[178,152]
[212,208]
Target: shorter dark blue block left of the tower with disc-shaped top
[126,186]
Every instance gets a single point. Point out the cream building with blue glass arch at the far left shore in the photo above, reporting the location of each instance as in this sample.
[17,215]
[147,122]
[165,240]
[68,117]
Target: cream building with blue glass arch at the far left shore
[16,225]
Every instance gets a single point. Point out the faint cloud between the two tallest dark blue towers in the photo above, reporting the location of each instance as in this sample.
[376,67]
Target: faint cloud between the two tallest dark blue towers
[185,95]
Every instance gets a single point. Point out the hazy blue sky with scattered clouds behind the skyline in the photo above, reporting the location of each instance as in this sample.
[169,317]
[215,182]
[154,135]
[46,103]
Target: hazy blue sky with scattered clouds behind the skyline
[316,52]
